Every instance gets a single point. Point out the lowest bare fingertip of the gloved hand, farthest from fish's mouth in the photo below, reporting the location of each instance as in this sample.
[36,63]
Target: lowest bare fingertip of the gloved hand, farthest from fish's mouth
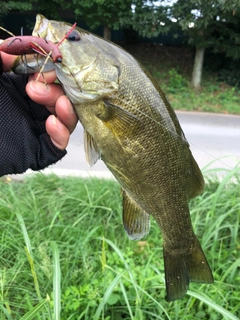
[58,133]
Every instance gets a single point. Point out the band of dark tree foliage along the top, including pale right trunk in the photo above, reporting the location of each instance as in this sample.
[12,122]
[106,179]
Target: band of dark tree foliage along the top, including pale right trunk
[210,24]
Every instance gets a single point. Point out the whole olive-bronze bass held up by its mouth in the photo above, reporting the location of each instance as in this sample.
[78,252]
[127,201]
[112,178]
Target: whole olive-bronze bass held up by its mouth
[130,125]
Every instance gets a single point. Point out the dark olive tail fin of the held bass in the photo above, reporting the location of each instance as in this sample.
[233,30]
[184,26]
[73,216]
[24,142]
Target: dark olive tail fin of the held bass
[182,268]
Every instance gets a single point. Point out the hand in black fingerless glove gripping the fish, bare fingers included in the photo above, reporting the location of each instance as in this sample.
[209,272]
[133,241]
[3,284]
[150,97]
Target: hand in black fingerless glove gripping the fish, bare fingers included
[31,135]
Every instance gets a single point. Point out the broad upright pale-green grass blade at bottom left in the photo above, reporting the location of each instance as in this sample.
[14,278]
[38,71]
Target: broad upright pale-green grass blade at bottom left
[56,281]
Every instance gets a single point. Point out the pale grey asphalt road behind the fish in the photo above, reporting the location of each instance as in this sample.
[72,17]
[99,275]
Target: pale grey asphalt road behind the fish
[213,139]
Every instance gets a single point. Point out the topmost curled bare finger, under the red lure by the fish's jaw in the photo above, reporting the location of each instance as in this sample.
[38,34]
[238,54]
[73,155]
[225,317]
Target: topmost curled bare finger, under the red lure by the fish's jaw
[44,94]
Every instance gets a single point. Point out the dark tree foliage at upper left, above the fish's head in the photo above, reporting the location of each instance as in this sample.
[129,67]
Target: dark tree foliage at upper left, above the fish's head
[107,13]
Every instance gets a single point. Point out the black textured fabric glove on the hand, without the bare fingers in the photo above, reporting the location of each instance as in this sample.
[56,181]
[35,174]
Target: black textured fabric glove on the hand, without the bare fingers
[24,142]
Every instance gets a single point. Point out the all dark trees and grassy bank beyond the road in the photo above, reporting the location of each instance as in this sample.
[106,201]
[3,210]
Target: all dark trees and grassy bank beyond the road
[200,74]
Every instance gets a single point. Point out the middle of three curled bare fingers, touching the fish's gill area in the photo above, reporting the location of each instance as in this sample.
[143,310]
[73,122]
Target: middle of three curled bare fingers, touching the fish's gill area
[66,113]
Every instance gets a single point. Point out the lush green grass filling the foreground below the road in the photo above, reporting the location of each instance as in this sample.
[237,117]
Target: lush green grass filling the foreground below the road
[64,253]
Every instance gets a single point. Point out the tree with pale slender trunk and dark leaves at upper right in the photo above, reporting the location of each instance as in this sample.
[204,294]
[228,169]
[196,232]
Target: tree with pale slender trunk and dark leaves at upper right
[209,24]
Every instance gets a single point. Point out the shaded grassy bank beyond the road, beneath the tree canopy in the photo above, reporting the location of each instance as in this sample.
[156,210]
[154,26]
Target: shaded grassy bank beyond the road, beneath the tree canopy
[172,68]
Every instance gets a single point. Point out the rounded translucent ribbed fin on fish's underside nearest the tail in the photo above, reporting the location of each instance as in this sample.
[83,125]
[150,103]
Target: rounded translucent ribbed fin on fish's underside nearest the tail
[135,220]
